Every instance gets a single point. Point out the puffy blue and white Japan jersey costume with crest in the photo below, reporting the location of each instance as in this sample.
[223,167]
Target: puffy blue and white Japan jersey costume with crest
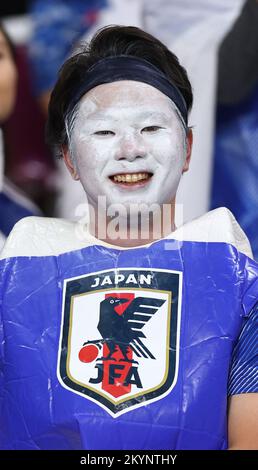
[111,348]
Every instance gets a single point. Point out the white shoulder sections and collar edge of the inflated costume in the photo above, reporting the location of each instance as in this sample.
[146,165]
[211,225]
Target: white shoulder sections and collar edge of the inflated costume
[40,236]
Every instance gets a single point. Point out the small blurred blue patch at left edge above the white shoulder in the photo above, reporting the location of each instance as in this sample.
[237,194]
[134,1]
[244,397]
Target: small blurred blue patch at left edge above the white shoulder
[10,213]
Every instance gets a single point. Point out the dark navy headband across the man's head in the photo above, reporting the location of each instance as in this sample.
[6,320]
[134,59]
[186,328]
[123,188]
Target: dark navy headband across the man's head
[113,69]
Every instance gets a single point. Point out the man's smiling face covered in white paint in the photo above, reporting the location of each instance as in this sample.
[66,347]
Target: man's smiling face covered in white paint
[128,144]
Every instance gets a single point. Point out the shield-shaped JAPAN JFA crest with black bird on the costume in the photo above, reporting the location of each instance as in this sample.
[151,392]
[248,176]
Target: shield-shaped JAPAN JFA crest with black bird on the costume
[119,339]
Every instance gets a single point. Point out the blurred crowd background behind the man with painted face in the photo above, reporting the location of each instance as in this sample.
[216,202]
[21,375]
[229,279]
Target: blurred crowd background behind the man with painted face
[216,41]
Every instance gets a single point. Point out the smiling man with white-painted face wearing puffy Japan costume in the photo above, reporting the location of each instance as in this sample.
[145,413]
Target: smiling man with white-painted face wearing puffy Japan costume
[123,331]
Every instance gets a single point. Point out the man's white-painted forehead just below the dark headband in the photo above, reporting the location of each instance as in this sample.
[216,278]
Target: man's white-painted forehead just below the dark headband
[124,94]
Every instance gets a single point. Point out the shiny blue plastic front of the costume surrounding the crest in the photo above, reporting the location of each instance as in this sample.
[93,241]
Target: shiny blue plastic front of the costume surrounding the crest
[37,412]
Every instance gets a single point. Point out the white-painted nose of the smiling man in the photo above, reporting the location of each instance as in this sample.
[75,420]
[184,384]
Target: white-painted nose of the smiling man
[130,148]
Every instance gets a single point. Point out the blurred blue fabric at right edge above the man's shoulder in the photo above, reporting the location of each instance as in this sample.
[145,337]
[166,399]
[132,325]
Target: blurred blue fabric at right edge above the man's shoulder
[235,178]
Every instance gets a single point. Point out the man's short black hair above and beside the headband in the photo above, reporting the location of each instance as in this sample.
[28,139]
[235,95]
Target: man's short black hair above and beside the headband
[109,41]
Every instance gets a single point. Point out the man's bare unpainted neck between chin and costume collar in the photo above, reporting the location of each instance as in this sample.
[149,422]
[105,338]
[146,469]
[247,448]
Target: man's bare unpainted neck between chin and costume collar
[142,230]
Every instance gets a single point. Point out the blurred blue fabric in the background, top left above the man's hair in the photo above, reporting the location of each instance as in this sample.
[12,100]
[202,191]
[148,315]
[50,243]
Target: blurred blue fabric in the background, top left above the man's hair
[58,25]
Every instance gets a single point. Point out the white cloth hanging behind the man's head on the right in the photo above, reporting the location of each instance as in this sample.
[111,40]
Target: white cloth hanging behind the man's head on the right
[193,29]
